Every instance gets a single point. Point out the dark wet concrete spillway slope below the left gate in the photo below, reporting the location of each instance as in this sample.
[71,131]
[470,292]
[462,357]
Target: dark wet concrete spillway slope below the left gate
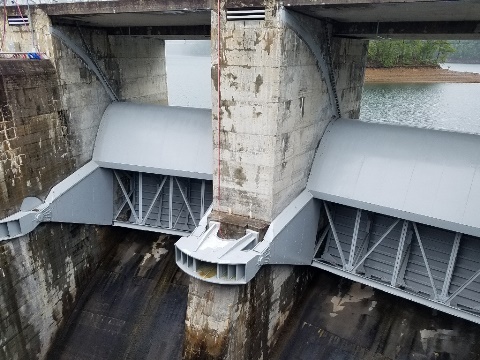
[133,307]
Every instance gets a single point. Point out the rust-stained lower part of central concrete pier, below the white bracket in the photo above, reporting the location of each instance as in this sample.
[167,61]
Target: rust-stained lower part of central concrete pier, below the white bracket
[241,322]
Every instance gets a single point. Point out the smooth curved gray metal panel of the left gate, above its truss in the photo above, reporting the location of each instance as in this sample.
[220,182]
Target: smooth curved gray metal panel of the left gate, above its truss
[156,139]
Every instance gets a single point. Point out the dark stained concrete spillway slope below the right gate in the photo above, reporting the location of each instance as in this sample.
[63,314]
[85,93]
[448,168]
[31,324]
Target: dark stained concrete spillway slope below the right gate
[340,319]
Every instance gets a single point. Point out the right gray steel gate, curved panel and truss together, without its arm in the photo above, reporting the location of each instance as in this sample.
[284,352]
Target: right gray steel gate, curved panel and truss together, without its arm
[401,207]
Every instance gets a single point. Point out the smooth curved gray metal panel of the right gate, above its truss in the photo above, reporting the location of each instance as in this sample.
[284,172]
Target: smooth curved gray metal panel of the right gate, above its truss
[427,176]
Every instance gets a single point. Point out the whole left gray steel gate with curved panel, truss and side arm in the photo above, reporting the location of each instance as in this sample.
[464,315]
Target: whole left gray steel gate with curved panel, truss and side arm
[152,162]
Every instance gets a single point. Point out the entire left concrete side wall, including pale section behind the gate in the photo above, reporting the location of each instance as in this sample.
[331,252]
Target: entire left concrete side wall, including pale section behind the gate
[51,110]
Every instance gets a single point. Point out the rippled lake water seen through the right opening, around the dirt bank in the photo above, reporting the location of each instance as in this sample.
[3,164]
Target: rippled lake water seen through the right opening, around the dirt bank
[454,107]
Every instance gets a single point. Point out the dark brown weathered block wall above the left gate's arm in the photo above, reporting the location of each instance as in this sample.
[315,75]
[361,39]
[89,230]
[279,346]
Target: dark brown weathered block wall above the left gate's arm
[34,152]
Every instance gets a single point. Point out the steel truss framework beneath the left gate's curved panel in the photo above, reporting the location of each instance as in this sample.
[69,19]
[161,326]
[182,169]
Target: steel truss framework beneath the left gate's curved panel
[167,204]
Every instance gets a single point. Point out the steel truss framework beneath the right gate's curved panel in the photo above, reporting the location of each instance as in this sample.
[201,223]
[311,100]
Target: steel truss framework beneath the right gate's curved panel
[431,266]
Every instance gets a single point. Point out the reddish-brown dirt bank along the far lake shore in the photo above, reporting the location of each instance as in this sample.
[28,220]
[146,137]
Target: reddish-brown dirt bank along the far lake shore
[419,75]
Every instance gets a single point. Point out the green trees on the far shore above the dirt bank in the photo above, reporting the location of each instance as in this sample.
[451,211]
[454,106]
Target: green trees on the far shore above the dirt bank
[391,53]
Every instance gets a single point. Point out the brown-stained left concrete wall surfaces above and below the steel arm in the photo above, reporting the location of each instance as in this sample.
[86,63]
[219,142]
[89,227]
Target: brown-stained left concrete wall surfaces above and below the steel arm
[41,273]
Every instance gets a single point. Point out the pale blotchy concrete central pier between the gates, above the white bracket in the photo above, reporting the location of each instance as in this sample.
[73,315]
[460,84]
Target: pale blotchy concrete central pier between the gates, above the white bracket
[274,109]
